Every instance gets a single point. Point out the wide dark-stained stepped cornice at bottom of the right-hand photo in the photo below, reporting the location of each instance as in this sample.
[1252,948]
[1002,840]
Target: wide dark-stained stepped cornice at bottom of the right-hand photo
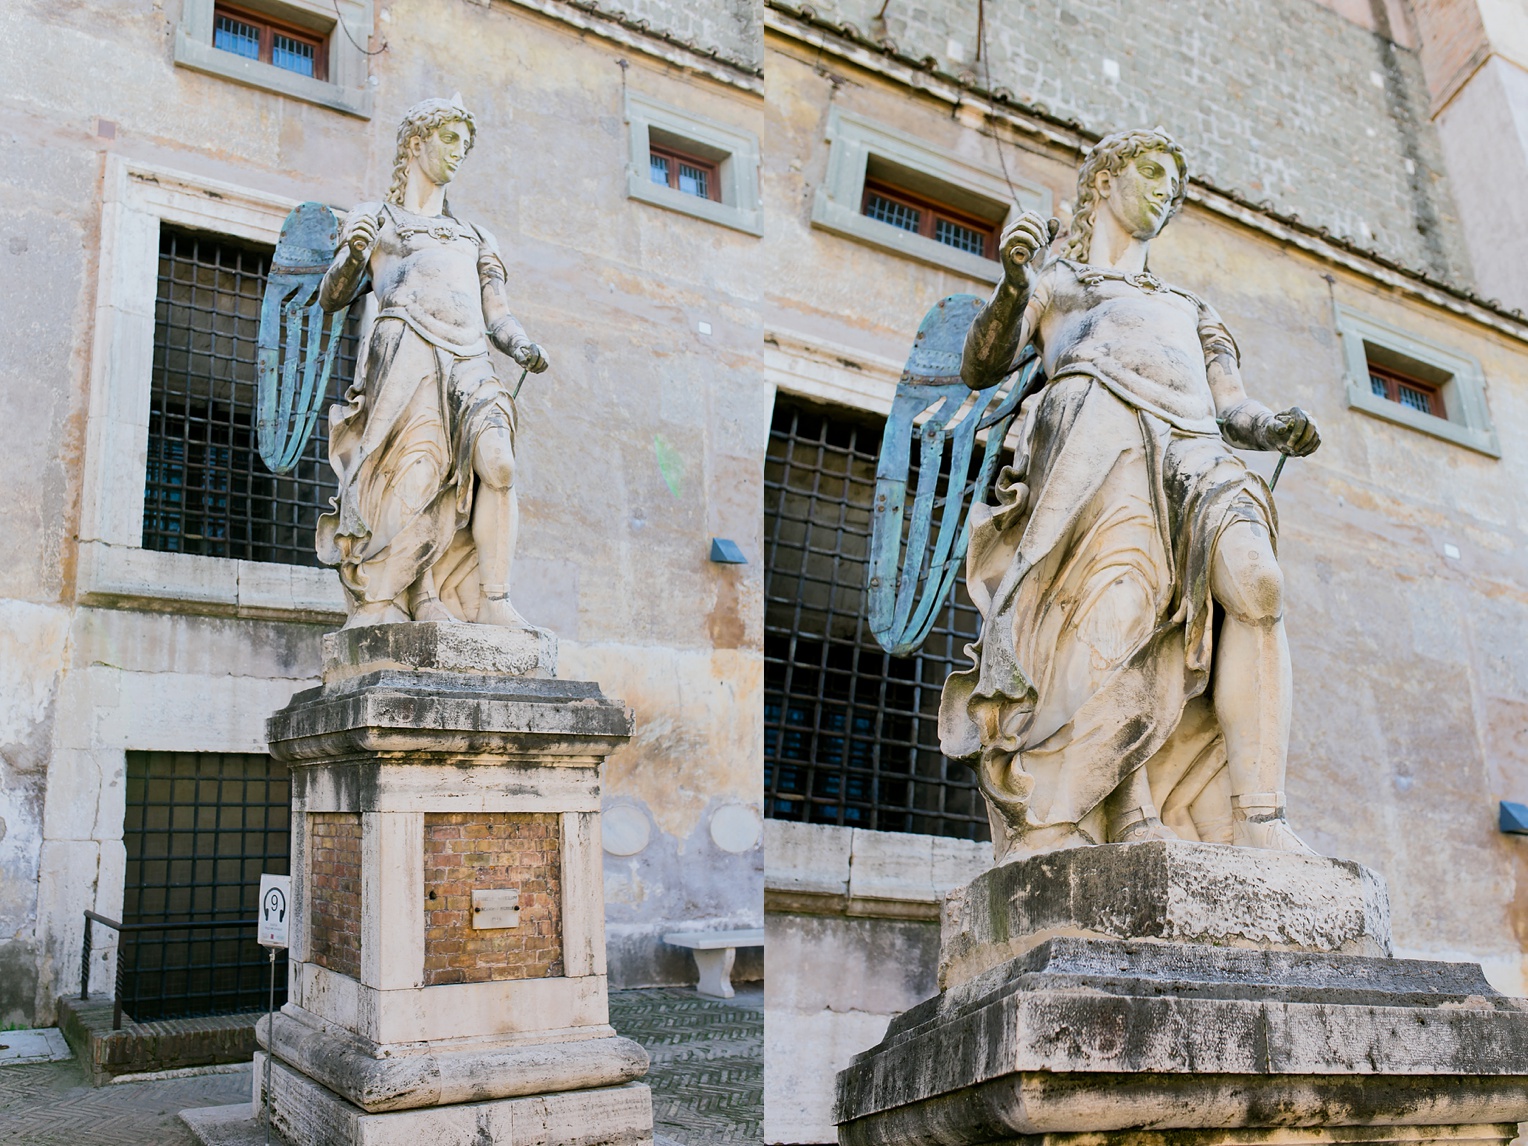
[1191,1037]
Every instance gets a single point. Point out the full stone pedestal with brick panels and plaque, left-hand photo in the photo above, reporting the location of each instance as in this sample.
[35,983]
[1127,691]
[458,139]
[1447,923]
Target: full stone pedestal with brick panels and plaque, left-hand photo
[448,945]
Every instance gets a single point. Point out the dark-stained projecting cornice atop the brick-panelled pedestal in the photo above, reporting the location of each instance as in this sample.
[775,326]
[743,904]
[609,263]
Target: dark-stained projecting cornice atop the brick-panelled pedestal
[546,722]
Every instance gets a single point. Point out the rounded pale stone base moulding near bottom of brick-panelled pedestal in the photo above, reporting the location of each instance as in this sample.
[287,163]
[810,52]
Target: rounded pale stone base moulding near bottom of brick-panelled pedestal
[401,1078]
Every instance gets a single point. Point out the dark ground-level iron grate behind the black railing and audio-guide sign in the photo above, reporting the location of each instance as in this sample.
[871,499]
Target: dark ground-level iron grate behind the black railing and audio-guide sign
[201,827]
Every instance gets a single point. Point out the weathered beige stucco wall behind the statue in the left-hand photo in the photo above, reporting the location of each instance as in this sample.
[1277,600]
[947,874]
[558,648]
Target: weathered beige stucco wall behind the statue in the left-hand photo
[613,551]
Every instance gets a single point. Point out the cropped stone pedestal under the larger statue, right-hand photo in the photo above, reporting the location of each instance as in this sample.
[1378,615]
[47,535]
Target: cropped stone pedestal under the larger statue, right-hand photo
[1188,994]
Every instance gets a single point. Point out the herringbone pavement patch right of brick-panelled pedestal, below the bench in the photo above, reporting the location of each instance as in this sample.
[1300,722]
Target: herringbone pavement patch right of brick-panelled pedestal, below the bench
[708,1061]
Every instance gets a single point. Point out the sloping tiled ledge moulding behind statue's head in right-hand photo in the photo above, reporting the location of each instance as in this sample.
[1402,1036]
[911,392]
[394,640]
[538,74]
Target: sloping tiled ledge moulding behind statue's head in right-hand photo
[977,108]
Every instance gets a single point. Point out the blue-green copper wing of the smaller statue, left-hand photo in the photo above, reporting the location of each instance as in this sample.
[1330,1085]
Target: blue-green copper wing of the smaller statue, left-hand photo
[297,340]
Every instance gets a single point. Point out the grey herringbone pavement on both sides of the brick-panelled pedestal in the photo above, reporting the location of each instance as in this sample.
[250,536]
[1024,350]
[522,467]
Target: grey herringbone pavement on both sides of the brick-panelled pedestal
[708,1083]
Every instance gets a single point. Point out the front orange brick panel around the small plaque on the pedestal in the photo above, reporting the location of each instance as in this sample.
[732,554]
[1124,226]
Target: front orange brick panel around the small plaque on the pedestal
[488,852]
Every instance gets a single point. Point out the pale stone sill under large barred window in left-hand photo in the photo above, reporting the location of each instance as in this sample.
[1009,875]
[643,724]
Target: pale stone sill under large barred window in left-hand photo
[183,583]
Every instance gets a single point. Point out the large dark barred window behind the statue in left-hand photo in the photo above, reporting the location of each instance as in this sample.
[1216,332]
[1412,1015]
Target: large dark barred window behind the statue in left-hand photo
[207,490]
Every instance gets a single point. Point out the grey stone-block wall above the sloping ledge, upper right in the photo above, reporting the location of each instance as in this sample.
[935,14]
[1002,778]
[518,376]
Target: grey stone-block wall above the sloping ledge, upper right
[1283,100]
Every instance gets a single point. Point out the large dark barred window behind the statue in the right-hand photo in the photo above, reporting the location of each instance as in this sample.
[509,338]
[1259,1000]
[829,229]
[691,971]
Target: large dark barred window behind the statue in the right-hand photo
[850,733]
